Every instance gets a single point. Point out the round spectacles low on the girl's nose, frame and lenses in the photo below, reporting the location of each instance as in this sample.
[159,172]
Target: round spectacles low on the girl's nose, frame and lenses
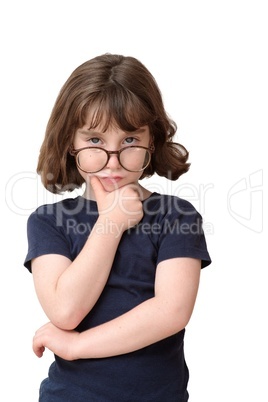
[94,159]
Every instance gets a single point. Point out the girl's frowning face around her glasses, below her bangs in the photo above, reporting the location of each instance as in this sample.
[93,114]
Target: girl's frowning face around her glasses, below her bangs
[113,175]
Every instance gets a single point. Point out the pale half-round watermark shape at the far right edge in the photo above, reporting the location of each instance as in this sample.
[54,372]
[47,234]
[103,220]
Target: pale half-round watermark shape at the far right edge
[245,201]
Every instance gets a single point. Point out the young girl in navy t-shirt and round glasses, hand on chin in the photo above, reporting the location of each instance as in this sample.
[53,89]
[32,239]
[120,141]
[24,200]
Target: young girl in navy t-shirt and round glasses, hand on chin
[116,270]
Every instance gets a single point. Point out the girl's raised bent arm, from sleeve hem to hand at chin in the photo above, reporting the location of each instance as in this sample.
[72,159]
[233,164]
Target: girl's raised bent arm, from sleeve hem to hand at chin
[67,290]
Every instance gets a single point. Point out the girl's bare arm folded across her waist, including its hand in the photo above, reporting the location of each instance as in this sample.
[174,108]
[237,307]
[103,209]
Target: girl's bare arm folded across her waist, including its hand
[165,314]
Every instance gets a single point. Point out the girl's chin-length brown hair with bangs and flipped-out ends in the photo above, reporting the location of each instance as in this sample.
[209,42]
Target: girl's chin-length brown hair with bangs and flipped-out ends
[116,89]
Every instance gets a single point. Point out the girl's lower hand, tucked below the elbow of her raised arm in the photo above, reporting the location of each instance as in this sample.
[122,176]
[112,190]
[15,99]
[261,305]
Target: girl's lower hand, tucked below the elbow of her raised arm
[59,341]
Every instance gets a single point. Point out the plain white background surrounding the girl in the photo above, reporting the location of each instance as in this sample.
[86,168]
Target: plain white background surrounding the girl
[210,61]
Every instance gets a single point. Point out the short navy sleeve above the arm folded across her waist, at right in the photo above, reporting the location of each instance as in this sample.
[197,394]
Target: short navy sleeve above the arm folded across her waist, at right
[182,235]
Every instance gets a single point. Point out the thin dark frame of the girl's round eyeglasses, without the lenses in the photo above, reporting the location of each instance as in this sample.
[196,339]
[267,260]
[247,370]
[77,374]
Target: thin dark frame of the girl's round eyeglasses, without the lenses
[74,152]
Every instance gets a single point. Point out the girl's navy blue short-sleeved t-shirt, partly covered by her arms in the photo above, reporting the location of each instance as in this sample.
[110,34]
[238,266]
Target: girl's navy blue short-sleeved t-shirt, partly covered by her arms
[170,228]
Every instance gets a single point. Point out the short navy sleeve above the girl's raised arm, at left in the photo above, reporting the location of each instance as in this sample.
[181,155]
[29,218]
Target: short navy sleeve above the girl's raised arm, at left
[44,236]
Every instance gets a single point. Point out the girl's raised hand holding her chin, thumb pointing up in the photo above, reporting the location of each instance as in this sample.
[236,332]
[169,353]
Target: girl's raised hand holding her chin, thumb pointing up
[121,207]
